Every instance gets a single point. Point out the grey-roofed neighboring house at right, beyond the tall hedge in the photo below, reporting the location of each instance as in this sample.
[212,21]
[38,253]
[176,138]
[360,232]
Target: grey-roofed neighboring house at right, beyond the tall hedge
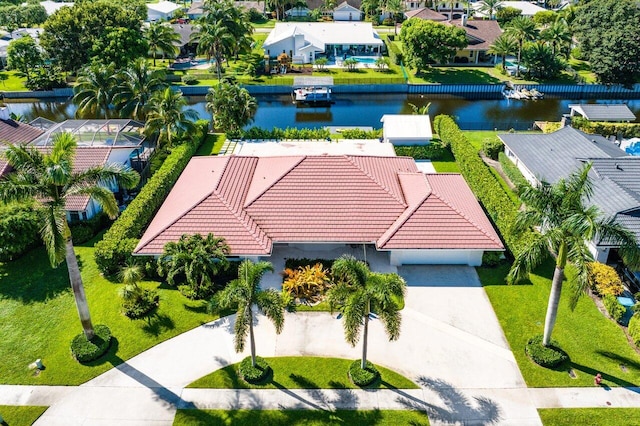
[615,175]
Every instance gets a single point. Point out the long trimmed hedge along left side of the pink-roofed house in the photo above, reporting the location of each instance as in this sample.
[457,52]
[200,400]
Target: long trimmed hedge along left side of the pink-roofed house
[116,247]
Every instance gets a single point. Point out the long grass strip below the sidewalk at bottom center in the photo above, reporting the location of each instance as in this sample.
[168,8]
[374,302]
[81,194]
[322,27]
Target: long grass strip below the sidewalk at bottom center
[300,417]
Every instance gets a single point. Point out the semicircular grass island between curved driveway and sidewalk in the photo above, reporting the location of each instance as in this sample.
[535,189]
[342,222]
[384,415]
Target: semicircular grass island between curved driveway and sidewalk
[302,373]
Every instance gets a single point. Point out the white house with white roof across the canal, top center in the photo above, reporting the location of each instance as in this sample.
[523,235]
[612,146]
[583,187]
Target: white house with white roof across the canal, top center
[304,41]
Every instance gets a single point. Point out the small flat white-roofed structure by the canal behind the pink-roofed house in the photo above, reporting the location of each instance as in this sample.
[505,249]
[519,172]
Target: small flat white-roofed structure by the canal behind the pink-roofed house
[405,129]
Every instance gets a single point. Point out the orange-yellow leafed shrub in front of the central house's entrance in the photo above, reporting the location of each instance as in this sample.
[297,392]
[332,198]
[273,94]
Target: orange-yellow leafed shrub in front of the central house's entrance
[306,282]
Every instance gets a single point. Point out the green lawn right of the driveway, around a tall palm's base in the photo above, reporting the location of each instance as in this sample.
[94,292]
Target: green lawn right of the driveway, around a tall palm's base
[594,343]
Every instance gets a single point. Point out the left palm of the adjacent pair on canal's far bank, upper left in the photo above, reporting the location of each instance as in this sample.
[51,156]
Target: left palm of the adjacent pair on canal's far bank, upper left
[93,92]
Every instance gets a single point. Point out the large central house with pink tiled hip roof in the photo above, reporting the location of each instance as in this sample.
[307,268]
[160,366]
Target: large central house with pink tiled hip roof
[326,201]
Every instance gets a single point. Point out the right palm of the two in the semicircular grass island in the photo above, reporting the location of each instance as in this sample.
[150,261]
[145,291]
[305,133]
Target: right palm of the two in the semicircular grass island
[359,293]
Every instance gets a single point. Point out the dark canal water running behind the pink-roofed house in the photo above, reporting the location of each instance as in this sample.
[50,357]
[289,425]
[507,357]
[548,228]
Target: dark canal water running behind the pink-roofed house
[366,110]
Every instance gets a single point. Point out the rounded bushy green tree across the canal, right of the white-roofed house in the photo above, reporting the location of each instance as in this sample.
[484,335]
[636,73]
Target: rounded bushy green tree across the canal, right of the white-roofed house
[428,42]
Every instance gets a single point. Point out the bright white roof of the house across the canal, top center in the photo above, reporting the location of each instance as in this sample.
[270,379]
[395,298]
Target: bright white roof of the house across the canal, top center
[319,34]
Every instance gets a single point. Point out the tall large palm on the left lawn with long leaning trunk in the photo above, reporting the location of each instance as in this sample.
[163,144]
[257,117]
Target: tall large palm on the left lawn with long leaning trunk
[49,180]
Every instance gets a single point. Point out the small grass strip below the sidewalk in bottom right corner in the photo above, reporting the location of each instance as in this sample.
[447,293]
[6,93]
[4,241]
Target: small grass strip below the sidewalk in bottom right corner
[590,416]
